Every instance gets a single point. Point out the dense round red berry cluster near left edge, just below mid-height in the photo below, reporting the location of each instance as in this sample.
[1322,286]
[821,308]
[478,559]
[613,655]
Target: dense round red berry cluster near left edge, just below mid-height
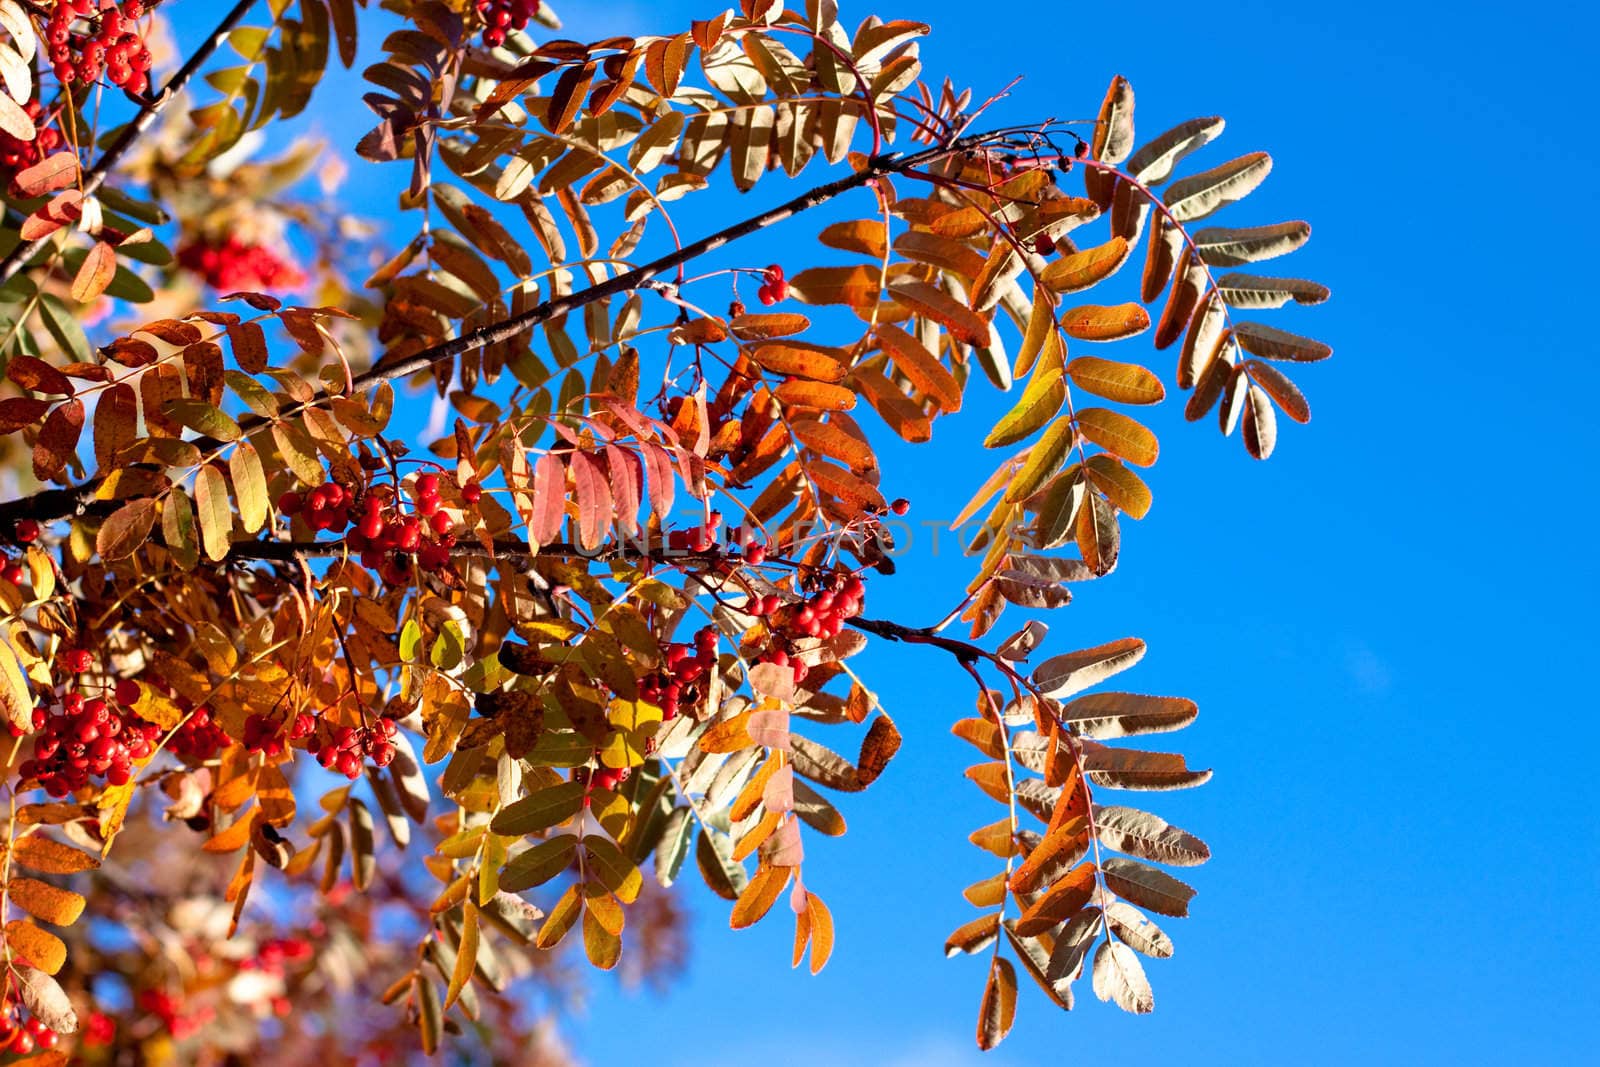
[87,738]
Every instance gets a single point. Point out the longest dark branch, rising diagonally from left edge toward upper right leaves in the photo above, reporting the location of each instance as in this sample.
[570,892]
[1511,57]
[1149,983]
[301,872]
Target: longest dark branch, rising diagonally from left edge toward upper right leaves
[50,505]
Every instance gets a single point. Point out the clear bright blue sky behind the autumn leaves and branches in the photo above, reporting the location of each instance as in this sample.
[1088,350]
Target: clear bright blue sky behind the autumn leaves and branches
[1374,623]
